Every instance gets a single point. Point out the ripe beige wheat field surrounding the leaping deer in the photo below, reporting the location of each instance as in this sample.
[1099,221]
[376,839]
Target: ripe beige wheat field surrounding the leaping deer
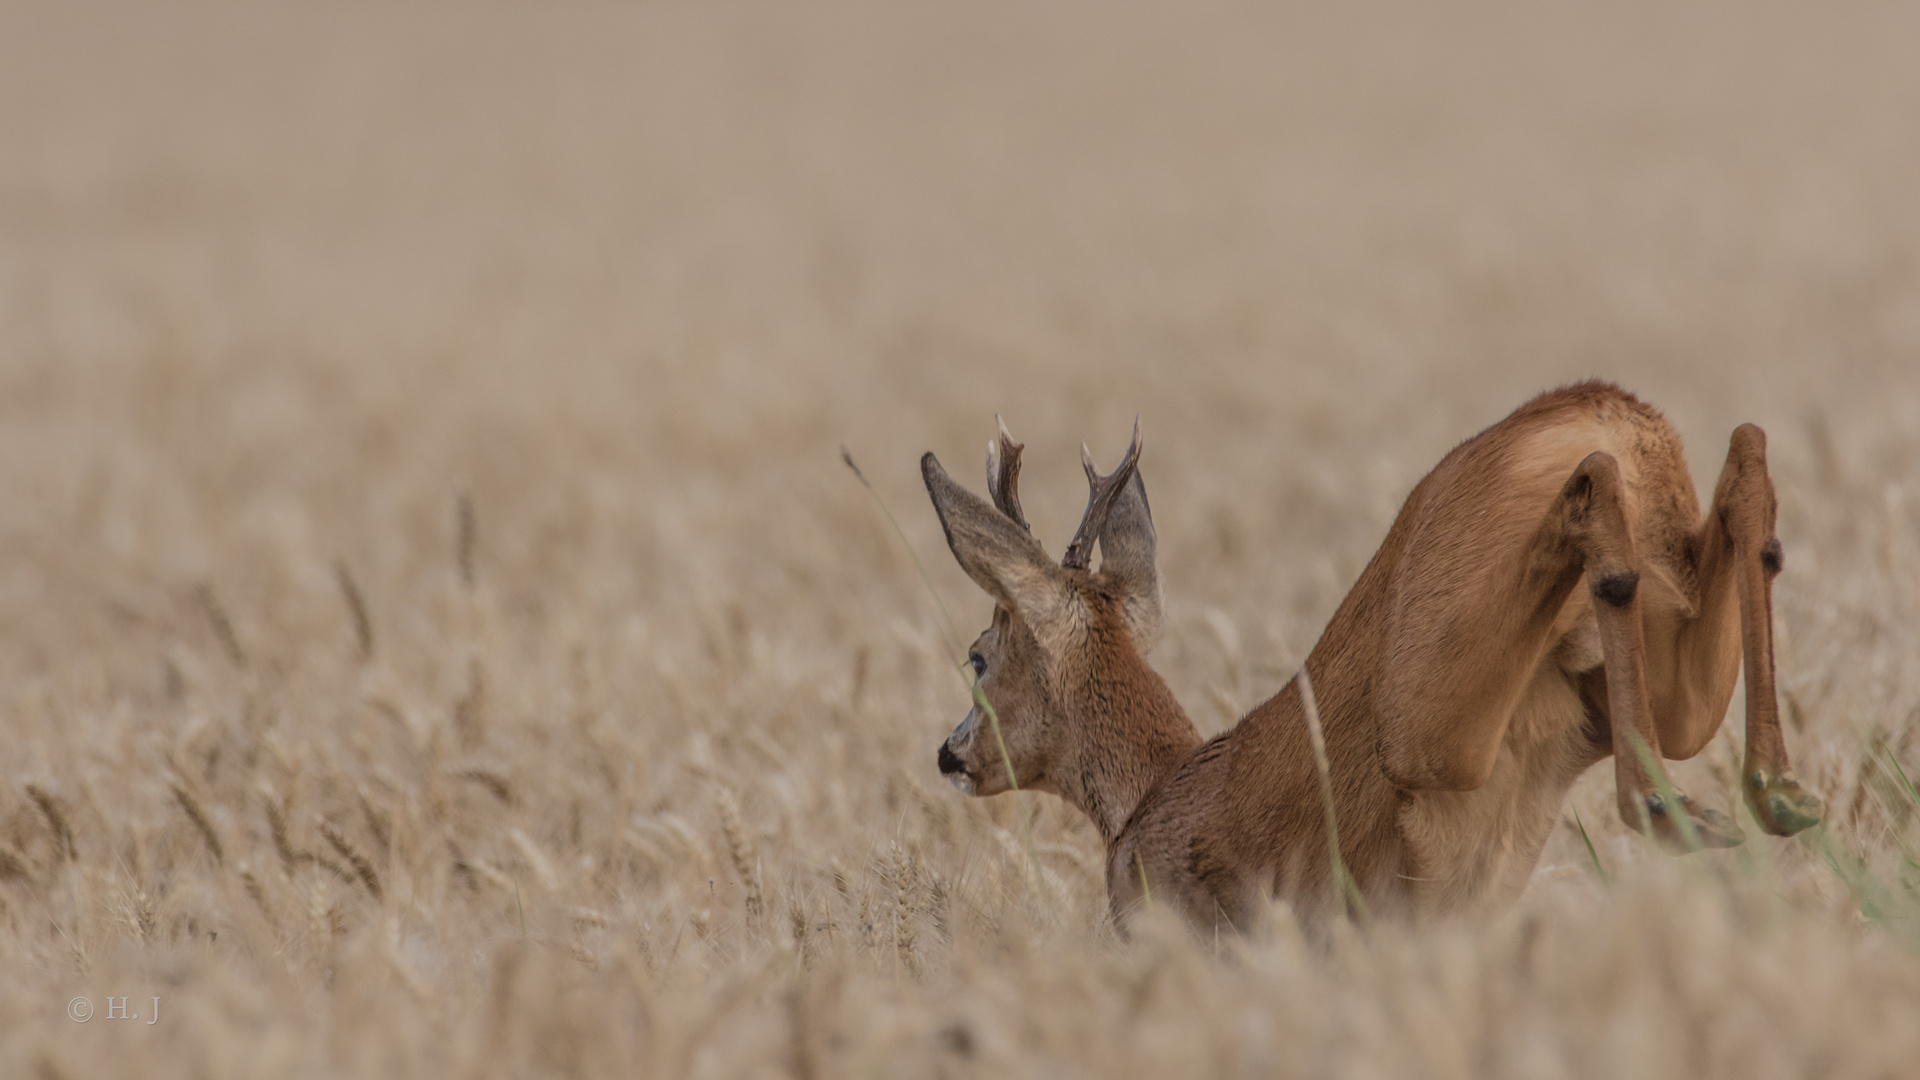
[439,635]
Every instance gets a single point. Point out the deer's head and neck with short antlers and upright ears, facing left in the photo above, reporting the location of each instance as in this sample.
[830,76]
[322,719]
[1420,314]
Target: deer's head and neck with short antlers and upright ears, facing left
[1063,664]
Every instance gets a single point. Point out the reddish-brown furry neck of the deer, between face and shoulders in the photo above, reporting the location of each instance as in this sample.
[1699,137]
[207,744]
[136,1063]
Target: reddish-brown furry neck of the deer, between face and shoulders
[1132,737]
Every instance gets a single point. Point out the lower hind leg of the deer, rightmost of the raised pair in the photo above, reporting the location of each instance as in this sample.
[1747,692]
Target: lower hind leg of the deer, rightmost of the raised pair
[1739,562]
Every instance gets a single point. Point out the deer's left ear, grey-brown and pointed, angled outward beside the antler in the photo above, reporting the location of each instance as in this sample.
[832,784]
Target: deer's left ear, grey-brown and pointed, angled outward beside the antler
[999,556]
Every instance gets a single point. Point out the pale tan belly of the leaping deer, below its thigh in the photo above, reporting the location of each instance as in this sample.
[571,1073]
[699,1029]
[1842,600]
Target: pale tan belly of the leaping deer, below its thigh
[1477,850]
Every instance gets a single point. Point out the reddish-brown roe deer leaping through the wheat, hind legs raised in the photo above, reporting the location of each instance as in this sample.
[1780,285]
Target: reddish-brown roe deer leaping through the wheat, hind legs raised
[1464,683]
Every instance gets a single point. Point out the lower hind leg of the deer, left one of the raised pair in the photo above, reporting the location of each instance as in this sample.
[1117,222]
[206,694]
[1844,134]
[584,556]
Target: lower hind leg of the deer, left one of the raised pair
[1593,518]
